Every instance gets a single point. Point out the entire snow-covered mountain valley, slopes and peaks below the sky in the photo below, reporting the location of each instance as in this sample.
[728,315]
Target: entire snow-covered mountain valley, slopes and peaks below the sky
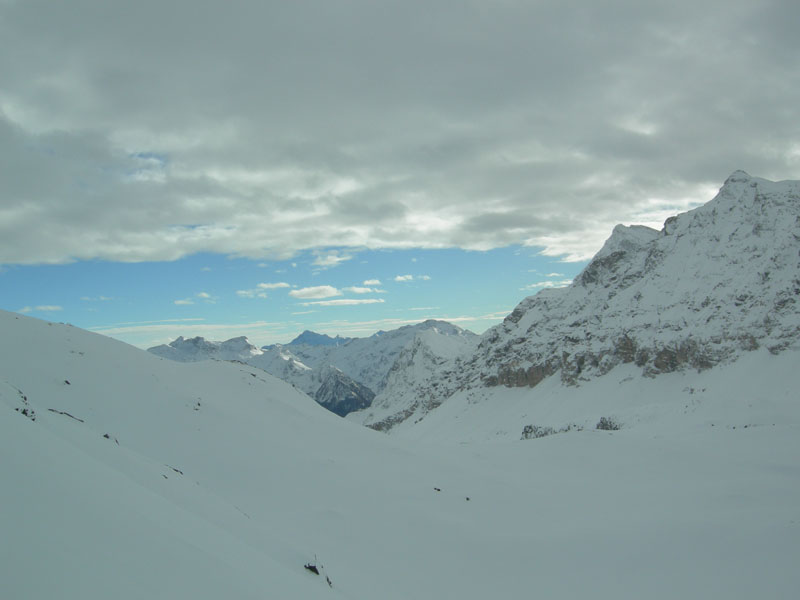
[631,435]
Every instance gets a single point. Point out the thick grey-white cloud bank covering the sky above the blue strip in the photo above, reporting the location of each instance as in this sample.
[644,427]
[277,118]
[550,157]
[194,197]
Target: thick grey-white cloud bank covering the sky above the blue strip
[451,149]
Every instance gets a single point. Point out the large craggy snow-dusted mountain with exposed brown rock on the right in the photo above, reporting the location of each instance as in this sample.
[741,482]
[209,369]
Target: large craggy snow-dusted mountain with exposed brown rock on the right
[713,284]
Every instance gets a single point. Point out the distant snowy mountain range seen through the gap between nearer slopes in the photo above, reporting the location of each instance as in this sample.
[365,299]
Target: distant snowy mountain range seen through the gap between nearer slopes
[341,374]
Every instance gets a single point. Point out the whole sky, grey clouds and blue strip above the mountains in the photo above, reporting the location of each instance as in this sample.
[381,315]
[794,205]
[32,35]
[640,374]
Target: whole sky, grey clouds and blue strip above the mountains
[260,168]
